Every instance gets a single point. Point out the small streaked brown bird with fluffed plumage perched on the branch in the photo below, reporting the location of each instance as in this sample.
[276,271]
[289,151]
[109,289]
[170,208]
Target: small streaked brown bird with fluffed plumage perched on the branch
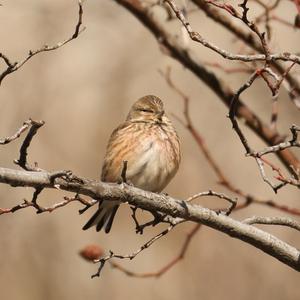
[149,143]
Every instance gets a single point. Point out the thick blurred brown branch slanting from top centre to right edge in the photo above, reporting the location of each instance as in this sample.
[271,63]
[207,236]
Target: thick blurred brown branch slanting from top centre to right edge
[180,53]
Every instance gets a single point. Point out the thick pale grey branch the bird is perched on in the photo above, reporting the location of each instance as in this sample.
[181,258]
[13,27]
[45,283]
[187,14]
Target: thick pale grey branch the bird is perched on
[266,242]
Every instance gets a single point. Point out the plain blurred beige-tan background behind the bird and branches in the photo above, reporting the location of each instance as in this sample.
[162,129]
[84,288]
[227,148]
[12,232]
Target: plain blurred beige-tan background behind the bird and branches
[83,91]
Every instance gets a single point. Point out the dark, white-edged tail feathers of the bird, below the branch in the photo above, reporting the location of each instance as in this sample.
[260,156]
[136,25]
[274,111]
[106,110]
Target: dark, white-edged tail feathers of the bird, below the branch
[104,216]
